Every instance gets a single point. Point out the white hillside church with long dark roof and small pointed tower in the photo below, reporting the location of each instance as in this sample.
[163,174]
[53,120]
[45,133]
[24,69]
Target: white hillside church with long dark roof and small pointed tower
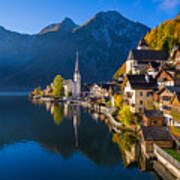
[138,59]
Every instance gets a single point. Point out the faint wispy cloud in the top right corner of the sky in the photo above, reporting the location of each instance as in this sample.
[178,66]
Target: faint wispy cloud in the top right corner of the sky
[168,4]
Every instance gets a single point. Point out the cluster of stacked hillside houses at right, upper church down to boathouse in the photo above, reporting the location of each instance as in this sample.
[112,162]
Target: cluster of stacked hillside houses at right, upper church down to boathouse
[154,77]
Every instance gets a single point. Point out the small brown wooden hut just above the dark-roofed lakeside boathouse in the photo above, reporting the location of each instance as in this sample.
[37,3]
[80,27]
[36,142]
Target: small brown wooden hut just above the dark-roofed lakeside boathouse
[153,118]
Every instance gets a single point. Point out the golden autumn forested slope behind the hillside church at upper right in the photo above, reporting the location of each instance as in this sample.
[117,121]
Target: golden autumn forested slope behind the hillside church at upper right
[165,36]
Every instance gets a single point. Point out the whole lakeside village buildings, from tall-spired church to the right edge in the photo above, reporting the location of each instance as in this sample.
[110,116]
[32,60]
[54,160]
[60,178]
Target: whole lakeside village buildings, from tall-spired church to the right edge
[149,87]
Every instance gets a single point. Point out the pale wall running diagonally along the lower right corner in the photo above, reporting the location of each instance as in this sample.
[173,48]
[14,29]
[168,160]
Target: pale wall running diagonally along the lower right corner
[165,155]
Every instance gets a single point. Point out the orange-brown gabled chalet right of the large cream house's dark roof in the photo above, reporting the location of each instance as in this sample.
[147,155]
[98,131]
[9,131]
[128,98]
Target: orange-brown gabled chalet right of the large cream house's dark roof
[168,77]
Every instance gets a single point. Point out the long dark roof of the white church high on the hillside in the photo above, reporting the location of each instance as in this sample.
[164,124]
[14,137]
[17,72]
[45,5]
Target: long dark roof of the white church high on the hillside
[147,55]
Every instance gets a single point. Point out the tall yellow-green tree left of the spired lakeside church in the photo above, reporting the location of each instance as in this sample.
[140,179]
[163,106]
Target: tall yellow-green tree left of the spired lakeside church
[58,87]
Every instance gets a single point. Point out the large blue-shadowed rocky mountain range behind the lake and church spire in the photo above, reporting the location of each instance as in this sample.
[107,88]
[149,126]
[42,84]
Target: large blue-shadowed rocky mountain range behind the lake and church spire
[103,43]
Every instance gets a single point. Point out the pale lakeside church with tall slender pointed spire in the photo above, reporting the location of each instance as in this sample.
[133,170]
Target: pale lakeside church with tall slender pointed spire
[73,87]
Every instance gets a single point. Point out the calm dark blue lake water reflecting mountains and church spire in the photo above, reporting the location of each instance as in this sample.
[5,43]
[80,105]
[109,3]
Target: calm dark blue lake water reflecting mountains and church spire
[57,142]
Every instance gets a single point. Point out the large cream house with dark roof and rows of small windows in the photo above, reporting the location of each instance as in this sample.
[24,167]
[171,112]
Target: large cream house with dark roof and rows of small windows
[136,89]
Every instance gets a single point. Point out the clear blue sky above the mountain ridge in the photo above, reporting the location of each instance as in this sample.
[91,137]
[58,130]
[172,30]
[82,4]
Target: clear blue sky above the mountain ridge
[30,16]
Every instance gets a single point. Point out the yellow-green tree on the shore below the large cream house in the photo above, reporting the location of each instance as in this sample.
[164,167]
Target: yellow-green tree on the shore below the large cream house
[126,116]
